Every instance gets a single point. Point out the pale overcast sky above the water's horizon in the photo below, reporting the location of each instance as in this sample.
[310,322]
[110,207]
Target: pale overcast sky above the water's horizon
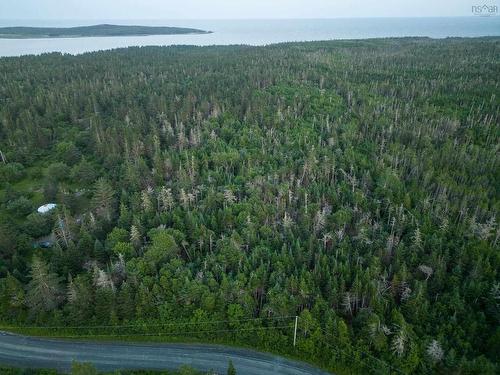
[210,9]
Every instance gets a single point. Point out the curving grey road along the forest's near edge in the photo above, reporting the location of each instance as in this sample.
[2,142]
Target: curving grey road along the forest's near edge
[22,351]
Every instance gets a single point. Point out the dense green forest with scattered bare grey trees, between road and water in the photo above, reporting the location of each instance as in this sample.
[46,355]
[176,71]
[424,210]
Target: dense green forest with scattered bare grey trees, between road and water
[214,193]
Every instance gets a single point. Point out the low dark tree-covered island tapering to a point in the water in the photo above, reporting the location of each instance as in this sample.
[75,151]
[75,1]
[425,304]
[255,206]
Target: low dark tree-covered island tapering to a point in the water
[21,32]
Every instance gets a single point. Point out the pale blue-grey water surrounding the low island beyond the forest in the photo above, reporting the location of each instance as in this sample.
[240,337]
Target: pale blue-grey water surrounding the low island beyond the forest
[253,32]
